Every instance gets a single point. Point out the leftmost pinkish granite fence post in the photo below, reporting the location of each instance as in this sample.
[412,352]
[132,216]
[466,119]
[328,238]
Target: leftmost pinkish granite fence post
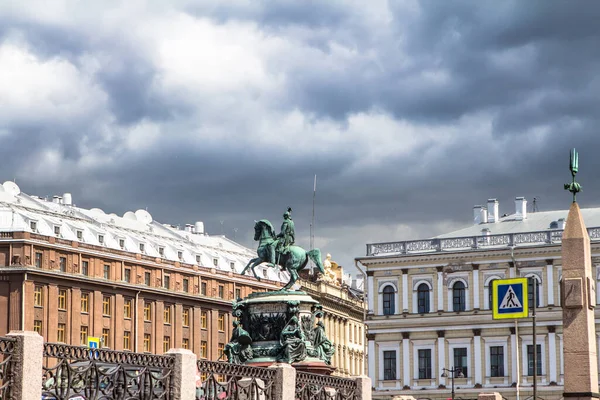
[29,355]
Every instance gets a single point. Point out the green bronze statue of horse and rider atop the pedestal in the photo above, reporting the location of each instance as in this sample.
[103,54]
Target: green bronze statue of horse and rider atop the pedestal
[279,249]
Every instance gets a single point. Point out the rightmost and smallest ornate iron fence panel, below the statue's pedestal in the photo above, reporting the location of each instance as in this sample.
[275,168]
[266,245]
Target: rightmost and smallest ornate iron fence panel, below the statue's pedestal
[322,387]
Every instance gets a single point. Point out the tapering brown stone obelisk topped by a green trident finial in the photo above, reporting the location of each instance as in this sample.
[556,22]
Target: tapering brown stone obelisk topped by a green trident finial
[579,299]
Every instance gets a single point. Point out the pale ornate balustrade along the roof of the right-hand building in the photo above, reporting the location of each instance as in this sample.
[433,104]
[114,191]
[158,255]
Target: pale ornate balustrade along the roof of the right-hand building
[471,242]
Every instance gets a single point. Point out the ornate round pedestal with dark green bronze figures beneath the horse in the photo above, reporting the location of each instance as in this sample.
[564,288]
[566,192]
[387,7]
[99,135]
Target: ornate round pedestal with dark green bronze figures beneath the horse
[279,327]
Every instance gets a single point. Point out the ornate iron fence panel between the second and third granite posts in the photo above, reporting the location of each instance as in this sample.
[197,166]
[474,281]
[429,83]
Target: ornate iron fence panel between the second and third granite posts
[221,380]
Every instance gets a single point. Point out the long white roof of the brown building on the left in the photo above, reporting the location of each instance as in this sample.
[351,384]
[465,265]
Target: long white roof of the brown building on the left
[134,232]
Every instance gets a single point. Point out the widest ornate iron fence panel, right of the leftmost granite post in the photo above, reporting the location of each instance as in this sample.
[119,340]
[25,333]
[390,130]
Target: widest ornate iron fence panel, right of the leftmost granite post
[71,371]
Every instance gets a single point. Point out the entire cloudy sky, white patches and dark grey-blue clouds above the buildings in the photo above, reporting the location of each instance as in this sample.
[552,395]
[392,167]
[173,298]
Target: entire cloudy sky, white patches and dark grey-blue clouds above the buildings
[408,112]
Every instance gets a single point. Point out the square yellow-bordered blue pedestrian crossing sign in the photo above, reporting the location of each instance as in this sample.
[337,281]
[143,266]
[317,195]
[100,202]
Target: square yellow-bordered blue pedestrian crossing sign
[509,298]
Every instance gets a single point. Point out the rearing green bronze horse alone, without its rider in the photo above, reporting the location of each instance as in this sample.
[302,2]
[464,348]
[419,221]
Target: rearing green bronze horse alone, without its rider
[293,261]
